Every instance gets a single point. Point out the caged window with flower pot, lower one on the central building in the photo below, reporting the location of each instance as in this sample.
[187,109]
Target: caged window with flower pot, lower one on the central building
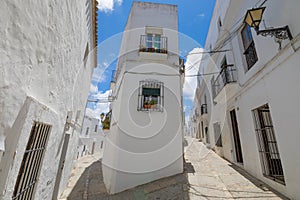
[150,96]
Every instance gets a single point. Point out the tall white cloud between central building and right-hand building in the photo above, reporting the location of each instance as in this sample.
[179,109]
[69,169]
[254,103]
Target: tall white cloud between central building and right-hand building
[192,66]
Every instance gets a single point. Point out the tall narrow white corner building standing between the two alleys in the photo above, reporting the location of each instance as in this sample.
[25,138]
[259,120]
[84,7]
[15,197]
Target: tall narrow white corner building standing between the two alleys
[146,132]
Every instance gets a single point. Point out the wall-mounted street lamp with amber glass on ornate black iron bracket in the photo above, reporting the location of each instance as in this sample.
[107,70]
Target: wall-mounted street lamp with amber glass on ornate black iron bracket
[253,18]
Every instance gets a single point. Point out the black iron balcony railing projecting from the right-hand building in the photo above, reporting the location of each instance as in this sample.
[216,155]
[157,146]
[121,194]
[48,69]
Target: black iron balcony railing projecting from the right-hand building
[227,75]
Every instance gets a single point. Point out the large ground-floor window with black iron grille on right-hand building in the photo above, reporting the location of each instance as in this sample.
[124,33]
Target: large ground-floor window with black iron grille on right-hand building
[267,144]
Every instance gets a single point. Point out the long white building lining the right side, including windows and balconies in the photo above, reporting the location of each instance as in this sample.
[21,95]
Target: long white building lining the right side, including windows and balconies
[252,106]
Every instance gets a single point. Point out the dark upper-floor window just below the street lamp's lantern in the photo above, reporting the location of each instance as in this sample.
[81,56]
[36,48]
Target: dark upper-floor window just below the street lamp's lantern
[249,47]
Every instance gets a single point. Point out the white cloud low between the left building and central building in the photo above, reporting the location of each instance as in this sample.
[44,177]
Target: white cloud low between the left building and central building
[100,107]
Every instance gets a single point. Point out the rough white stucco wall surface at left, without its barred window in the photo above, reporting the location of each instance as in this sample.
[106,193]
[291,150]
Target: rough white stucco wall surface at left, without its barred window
[41,57]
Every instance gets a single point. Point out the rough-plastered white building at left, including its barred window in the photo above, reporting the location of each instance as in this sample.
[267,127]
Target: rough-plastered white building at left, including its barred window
[47,59]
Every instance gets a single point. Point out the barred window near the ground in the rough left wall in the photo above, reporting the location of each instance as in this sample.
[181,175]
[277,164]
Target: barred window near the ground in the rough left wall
[32,161]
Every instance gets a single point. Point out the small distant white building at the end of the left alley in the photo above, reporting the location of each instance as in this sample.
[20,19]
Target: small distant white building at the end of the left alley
[91,137]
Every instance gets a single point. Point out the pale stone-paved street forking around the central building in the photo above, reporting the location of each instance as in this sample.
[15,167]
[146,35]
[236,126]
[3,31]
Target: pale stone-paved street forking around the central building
[206,176]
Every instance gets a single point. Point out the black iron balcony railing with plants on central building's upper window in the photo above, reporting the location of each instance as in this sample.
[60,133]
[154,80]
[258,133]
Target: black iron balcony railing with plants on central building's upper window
[153,44]
